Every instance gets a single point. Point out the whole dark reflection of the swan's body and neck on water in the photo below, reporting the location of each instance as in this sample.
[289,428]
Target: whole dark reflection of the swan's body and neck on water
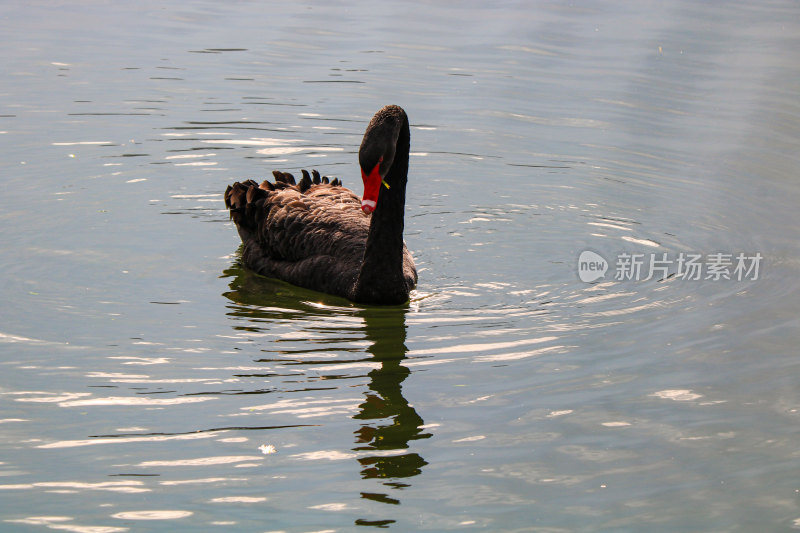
[388,422]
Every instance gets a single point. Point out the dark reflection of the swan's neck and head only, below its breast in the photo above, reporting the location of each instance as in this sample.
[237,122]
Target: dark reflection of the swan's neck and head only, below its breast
[390,422]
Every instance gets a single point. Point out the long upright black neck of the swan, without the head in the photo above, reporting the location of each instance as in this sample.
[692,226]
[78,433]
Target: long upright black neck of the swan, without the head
[381,277]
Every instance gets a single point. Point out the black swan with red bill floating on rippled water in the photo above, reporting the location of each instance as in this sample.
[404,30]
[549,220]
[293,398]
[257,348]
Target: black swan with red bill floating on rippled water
[319,235]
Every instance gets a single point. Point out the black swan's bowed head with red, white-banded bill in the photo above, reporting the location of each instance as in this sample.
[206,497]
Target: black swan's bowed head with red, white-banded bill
[376,154]
